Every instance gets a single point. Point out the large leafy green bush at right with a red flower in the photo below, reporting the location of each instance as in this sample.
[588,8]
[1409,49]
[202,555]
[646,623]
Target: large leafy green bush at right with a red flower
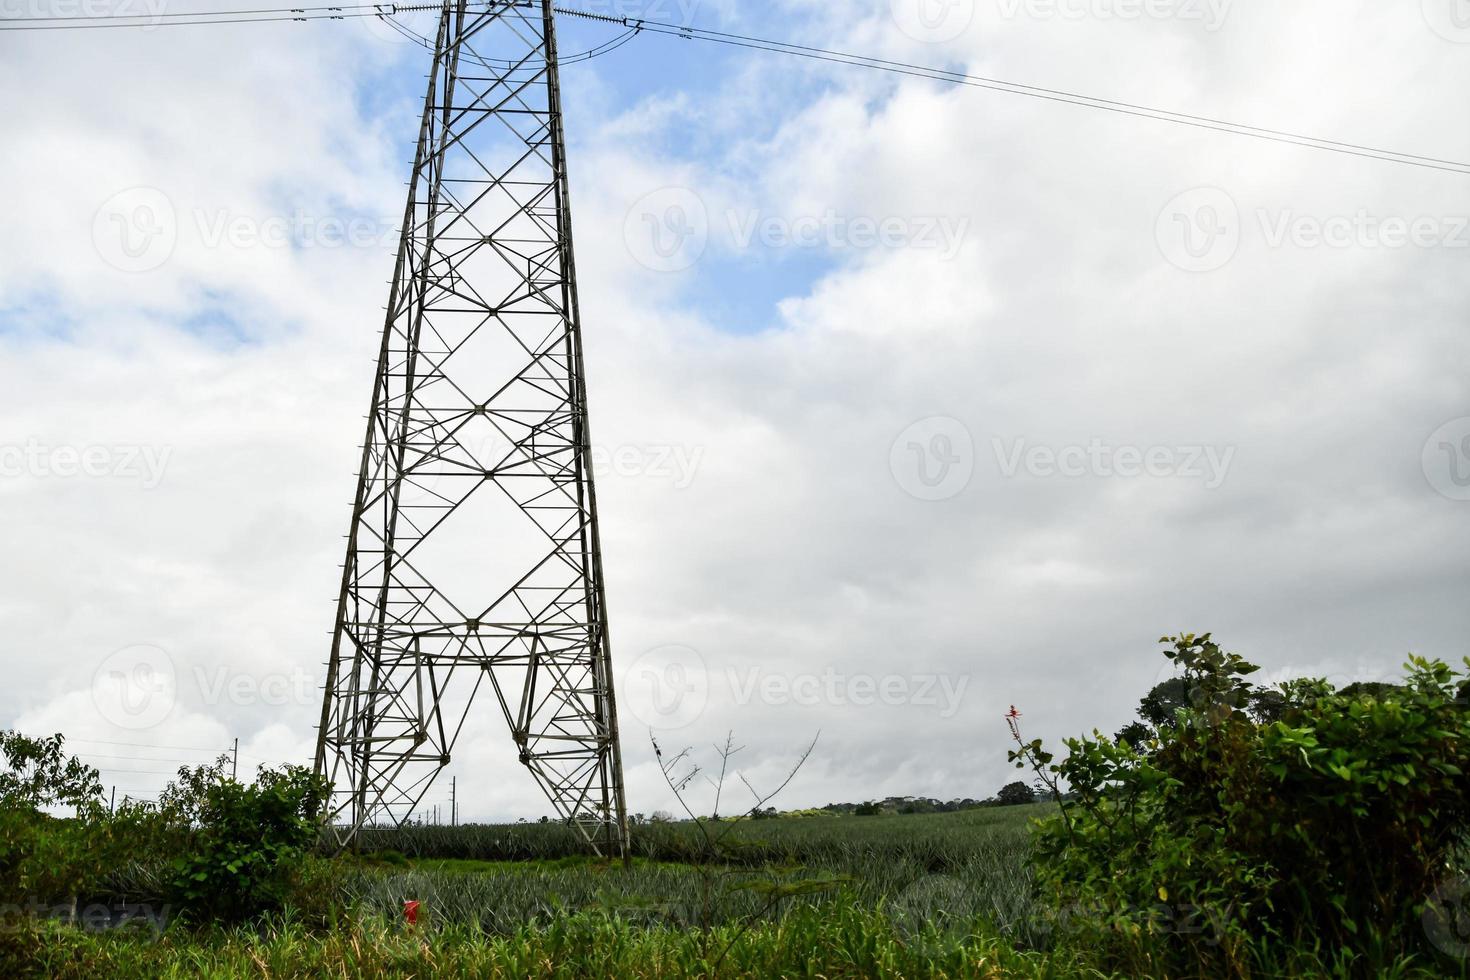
[1309,819]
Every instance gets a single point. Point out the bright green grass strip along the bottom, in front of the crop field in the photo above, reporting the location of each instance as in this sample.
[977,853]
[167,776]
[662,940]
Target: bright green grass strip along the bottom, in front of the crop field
[834,941]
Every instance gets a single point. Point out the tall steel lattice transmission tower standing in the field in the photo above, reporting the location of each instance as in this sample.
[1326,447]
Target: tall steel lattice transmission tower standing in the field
[474,571]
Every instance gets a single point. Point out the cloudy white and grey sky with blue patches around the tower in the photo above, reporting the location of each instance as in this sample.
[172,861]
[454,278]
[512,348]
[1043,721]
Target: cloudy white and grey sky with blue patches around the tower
[911,402]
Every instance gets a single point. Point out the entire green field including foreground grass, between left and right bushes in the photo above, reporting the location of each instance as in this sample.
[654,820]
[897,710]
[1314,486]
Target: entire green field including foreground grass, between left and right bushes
[892,896]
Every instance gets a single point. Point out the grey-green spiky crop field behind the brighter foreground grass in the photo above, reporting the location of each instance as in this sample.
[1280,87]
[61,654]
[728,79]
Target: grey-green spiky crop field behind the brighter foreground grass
[501,878]
